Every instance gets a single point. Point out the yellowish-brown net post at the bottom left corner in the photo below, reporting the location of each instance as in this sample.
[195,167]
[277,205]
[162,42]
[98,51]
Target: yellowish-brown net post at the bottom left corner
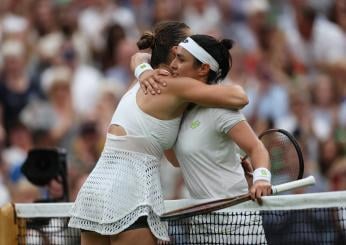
[8,227]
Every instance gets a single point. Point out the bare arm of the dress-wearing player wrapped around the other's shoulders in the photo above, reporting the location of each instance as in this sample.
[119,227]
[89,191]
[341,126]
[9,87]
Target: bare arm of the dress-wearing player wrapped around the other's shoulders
[230,96]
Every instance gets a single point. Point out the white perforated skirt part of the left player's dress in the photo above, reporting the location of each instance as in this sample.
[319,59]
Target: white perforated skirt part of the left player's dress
[124,185]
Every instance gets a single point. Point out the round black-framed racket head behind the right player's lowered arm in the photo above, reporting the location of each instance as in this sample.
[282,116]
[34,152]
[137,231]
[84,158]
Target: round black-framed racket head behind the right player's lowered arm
[286,158]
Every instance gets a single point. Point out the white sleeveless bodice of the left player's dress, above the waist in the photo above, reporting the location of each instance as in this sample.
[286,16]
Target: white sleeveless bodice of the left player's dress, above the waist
[163,133]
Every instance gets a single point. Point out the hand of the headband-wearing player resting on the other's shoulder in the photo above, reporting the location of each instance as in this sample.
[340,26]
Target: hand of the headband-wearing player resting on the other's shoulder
[151,81]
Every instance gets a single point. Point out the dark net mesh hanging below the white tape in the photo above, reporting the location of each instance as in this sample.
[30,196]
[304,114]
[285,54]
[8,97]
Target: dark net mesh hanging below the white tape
[303,226]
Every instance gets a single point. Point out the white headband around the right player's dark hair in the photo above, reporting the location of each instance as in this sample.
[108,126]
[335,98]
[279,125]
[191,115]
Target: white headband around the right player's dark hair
[199,53]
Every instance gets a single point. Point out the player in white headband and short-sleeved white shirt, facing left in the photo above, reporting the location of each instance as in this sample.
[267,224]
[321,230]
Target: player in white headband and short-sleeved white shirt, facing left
[210,163]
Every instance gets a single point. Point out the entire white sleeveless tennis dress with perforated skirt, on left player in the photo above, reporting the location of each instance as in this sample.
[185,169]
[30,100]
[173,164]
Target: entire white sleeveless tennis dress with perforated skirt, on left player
[125,183]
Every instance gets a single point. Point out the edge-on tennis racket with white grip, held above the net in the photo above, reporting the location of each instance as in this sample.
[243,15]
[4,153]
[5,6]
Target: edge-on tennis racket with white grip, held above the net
[218,204]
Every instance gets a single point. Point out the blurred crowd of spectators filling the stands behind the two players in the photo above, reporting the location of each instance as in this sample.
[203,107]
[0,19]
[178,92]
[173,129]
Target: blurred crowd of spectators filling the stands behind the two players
[64,64]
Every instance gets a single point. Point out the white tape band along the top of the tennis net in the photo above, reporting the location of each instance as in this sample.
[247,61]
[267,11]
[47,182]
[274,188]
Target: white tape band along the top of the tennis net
[279,202]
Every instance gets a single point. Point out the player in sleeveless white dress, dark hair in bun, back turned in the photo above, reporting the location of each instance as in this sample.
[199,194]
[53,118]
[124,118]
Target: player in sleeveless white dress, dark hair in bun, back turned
[121,200]
